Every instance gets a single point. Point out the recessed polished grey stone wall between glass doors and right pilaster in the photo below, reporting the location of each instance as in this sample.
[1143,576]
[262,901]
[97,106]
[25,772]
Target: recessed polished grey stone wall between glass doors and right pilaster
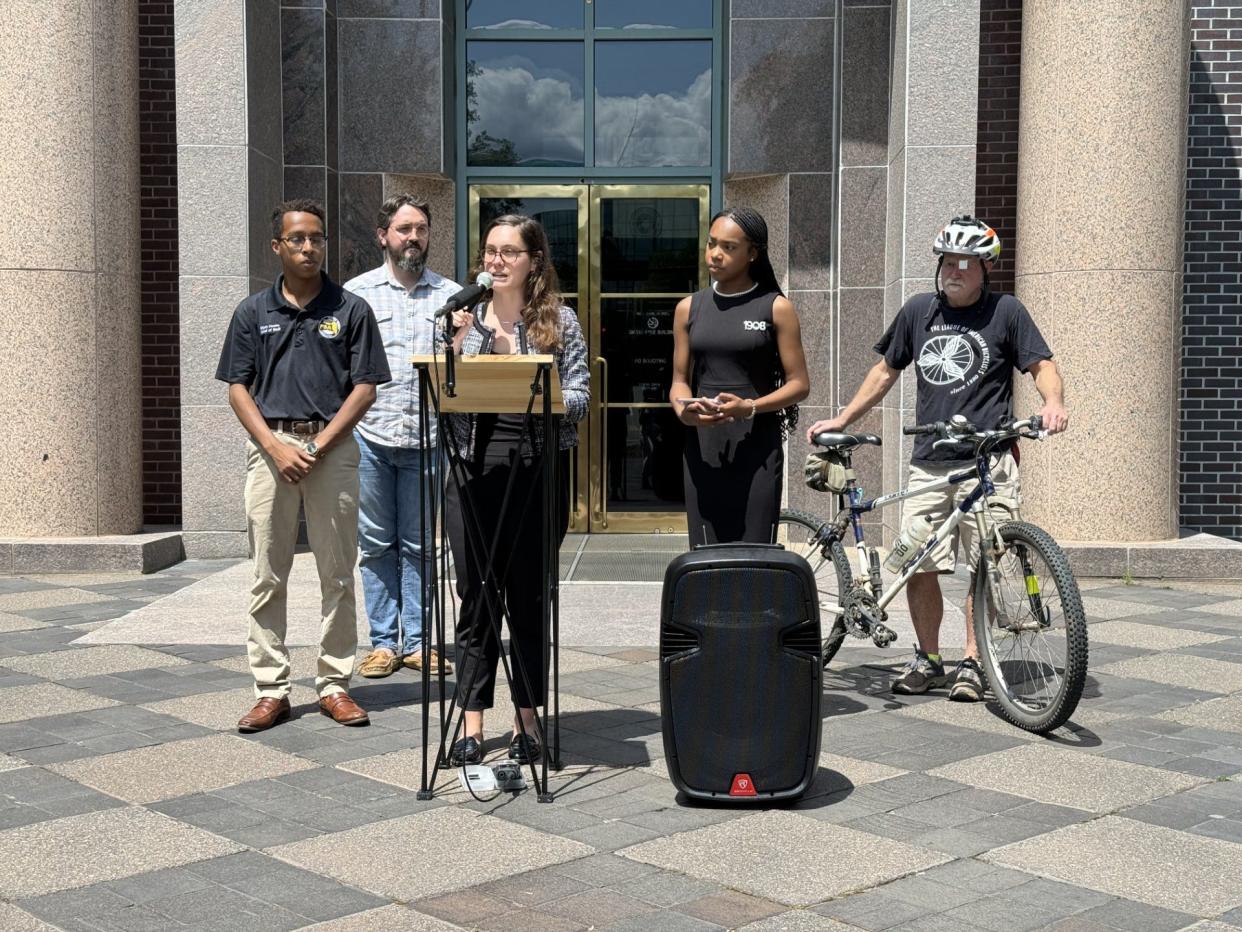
[815,163]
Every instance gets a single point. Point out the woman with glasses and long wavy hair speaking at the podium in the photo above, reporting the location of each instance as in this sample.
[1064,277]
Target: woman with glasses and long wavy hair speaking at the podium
[524,315]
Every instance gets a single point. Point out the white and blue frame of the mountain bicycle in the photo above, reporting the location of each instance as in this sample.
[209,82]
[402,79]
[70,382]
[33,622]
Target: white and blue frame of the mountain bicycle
[974,504]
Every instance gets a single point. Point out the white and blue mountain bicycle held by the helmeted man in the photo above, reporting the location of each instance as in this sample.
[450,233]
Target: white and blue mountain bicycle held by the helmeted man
[1033,629]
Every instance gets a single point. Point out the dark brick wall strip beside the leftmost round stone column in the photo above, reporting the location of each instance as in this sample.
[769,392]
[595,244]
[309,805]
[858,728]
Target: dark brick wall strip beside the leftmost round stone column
[162,391]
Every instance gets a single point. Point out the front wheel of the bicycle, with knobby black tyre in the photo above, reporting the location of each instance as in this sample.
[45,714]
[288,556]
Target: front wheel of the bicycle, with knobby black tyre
[1031,628]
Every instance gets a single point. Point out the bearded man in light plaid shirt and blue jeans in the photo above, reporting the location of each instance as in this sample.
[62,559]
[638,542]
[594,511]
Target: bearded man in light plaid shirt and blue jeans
[392,529]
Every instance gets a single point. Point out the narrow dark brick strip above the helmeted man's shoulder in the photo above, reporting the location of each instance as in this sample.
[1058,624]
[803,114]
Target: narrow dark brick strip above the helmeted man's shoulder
[1000,57]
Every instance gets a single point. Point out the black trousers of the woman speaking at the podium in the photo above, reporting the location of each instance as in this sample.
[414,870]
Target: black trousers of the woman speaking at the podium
[483,484]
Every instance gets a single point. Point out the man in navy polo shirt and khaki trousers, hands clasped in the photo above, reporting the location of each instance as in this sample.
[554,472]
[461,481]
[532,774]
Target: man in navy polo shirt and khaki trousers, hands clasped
[302,361]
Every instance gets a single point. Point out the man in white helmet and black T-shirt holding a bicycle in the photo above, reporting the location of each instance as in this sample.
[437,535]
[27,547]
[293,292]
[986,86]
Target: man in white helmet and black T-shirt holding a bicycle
[967,341]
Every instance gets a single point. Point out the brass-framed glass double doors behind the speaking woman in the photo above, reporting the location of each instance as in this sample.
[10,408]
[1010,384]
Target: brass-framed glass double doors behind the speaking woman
[625,257]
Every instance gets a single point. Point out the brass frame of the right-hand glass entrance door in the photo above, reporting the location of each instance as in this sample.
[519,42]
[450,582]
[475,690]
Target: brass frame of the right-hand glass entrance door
[639,521]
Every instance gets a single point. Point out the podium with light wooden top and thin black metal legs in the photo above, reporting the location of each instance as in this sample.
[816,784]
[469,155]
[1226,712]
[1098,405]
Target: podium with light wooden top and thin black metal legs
[473,386]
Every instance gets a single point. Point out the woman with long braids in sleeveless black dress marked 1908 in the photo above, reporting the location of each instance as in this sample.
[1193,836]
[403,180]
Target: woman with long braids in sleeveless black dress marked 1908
[738,376]
